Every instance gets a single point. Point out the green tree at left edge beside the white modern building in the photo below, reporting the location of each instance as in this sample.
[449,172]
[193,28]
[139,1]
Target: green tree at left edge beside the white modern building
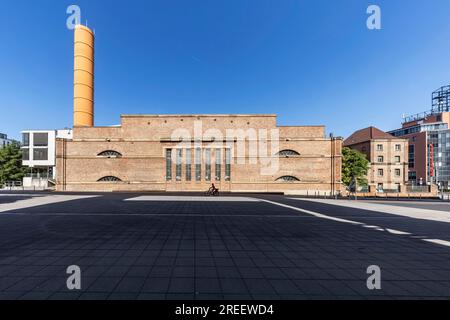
[11,168]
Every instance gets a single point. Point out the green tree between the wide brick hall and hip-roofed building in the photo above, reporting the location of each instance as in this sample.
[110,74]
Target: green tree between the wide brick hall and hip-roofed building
[354,166]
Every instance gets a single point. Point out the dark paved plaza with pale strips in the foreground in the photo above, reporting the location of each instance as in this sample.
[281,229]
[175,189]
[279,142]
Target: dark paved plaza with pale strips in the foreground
[181,246]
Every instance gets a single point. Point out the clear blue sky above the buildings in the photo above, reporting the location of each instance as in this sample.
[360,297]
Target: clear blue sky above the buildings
[311,62]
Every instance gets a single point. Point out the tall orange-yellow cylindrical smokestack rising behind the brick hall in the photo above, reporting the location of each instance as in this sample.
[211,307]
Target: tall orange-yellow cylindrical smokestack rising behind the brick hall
[83,87]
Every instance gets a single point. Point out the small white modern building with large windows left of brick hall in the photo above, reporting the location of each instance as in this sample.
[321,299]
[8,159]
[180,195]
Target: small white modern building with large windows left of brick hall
[39,154]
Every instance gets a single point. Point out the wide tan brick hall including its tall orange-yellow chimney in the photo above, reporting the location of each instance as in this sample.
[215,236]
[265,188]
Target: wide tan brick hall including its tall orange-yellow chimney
[239,153]
